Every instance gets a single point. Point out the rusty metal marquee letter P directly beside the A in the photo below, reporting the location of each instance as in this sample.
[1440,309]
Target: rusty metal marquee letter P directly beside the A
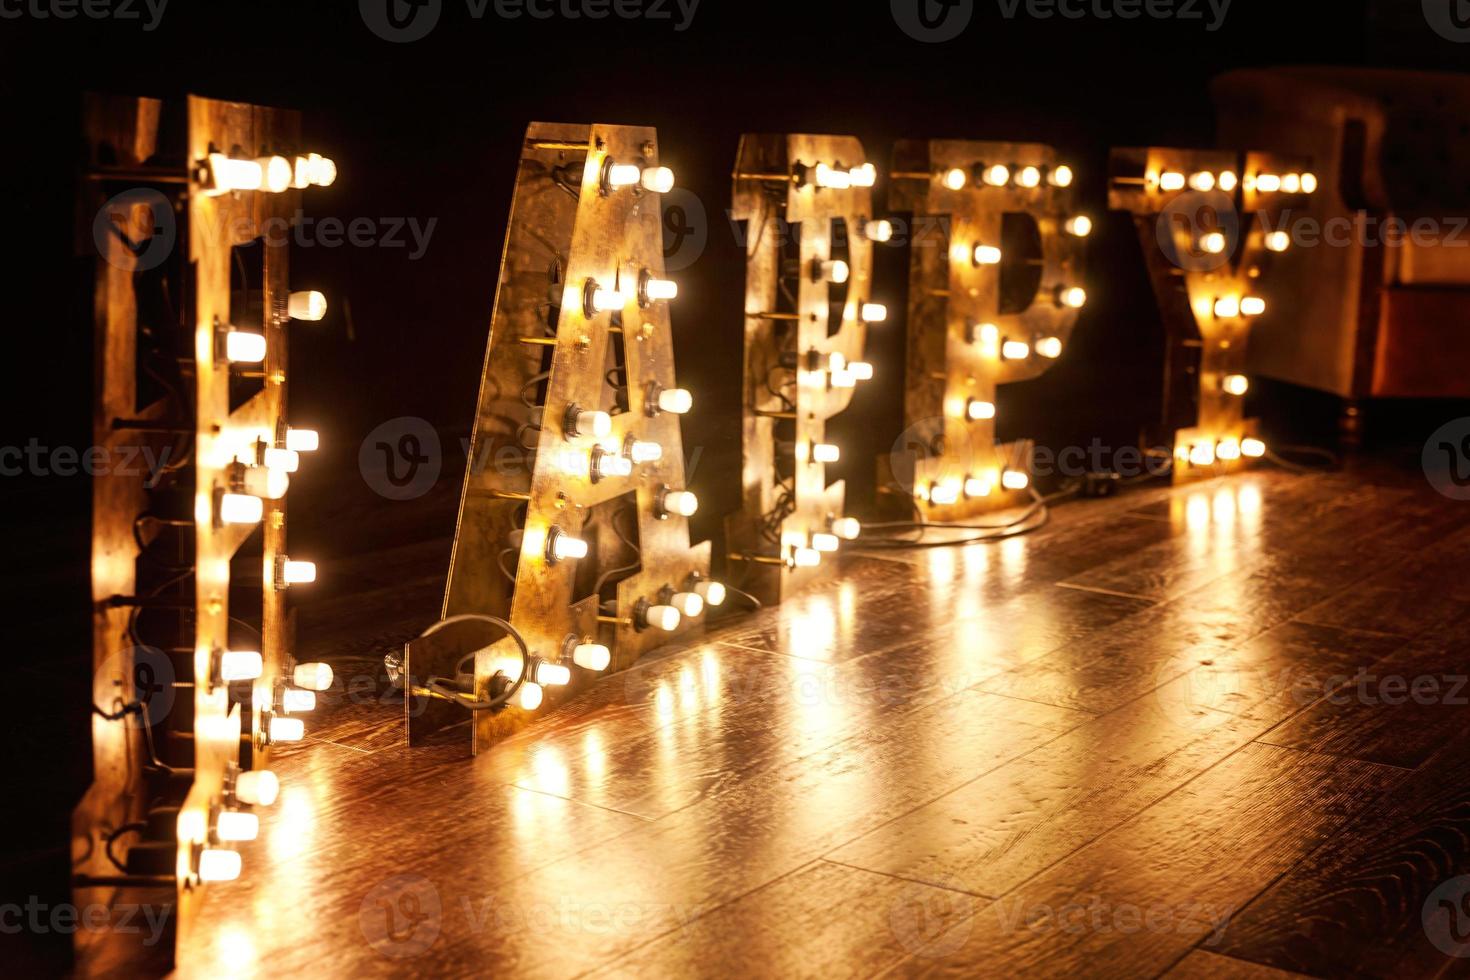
[792,224]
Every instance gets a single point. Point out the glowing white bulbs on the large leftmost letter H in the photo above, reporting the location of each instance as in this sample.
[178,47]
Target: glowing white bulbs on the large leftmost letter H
[252,483]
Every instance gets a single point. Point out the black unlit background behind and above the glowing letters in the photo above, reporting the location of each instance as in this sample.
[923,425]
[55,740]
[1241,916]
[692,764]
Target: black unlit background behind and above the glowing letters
[433,130]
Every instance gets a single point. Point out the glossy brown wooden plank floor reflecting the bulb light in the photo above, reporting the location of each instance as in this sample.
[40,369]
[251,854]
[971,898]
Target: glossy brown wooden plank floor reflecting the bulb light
[1127,746]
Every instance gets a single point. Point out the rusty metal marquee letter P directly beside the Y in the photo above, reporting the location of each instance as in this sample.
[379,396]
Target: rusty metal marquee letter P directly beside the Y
[958,321]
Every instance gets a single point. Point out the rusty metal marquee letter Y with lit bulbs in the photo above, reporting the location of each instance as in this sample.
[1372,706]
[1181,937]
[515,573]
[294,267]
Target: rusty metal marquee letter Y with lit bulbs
[1206,343]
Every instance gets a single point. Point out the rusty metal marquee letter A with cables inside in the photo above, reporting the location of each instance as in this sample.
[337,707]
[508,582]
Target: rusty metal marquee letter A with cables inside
[548,355]
